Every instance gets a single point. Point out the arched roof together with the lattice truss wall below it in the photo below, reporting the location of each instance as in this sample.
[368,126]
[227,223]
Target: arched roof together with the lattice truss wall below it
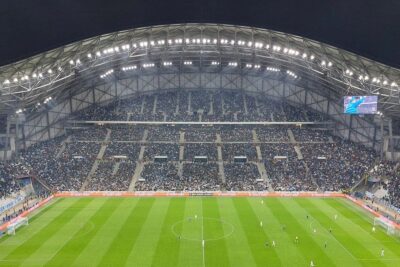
[38,95]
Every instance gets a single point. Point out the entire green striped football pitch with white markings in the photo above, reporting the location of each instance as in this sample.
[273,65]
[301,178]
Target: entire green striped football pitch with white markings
[199,231]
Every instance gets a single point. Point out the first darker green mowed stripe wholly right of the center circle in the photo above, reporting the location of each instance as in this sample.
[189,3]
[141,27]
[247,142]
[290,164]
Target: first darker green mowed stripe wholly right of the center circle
[256,237]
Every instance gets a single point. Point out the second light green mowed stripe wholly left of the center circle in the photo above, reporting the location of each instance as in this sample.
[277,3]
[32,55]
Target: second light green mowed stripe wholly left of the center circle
[100,243]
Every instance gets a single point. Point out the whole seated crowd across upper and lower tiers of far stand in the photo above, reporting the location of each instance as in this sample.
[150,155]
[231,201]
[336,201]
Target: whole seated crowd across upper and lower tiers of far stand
[317,161]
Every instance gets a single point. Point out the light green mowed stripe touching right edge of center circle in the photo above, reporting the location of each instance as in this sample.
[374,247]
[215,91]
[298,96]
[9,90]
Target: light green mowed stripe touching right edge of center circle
[238,248]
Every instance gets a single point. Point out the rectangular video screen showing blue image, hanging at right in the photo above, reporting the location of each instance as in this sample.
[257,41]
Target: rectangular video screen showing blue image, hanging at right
[360,104]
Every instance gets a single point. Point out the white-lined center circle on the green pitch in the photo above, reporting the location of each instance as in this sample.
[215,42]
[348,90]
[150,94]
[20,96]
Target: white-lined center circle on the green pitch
[198,228]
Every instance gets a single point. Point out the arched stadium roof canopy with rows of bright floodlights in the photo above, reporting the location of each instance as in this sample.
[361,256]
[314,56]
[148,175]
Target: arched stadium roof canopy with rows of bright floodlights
[205,47]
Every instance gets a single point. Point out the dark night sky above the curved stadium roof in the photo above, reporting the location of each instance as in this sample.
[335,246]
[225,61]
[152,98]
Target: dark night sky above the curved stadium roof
[367,27]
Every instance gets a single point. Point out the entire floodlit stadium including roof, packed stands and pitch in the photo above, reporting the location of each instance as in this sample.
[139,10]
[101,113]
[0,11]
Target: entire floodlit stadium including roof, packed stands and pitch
[199,144]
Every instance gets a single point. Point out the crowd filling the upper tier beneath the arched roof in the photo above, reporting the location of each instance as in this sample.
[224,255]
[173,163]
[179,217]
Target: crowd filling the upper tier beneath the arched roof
[211,105]
